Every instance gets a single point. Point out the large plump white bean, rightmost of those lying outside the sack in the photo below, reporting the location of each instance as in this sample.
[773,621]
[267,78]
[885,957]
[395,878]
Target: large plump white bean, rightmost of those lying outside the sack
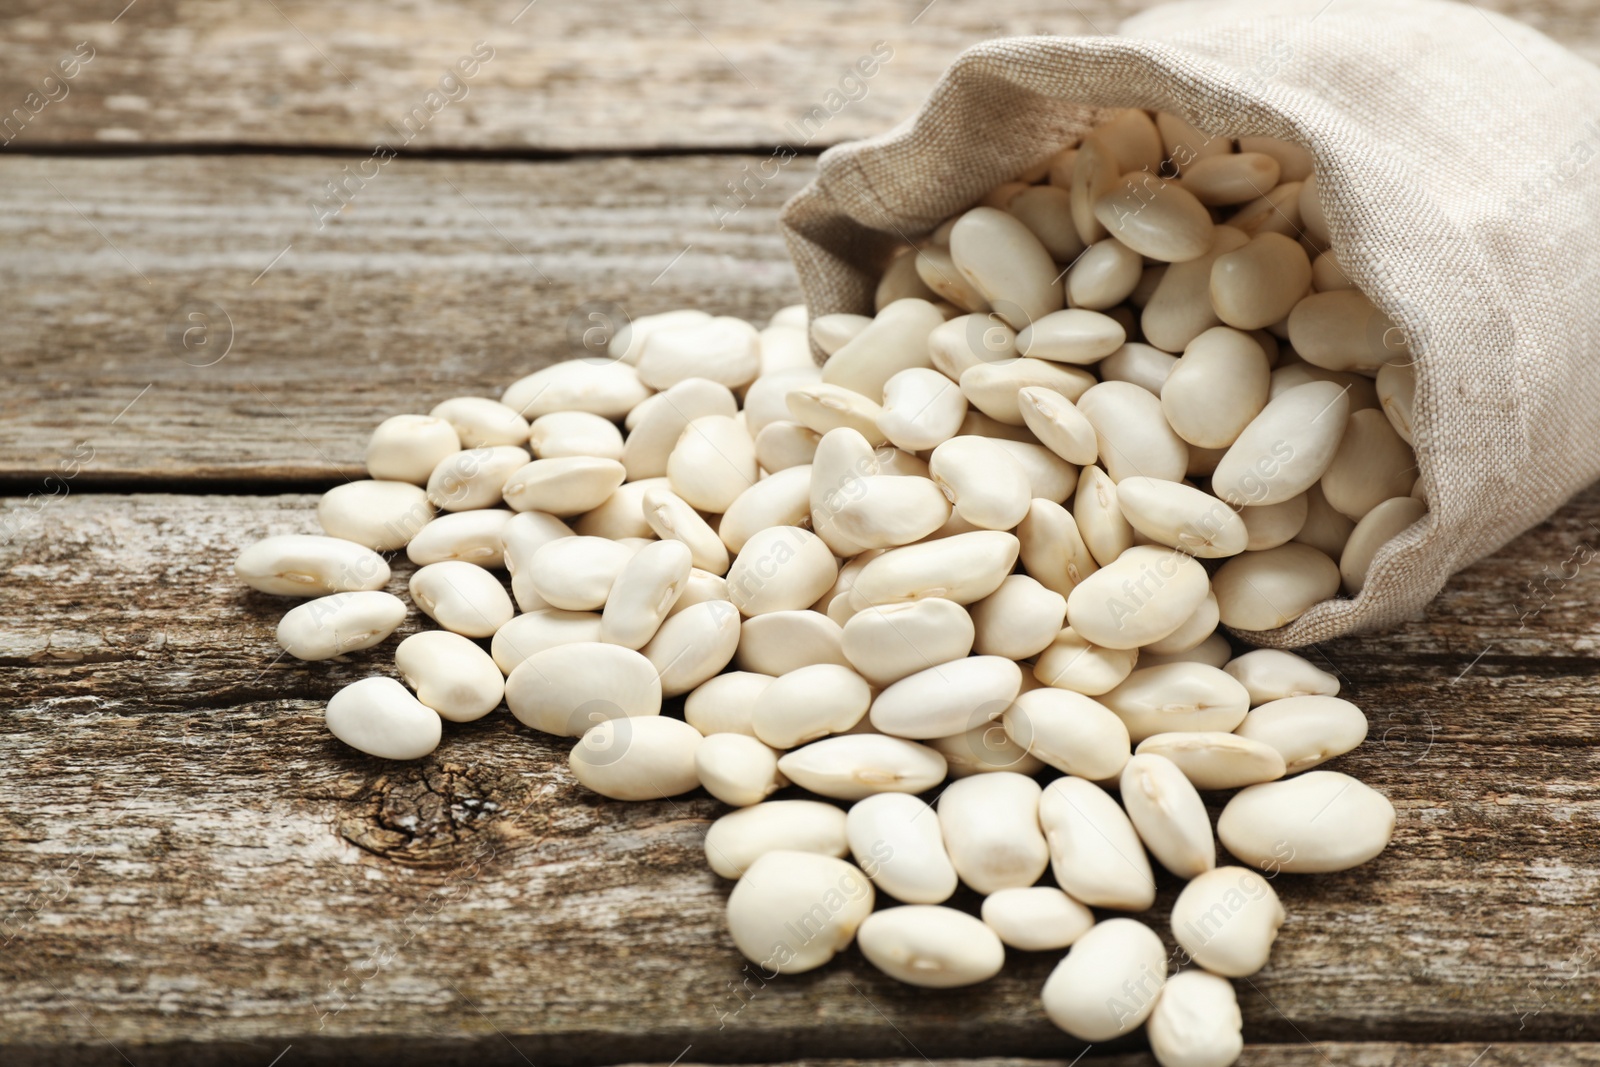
[1308,825]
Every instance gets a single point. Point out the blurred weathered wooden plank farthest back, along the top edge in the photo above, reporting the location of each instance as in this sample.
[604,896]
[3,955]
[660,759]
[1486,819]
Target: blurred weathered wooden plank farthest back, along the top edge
[561,78]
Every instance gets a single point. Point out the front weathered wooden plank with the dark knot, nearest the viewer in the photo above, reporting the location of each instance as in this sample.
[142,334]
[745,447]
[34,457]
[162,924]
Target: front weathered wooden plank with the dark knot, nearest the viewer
[188,858]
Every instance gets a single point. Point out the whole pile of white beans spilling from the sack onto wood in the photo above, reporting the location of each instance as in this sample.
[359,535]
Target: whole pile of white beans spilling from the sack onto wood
[988,545]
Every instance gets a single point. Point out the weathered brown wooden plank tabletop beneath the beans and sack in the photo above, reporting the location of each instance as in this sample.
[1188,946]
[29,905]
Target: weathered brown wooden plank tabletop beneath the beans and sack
[198,338]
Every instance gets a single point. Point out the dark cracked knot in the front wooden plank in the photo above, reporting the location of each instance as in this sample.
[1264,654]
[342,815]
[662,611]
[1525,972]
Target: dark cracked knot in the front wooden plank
[431,815]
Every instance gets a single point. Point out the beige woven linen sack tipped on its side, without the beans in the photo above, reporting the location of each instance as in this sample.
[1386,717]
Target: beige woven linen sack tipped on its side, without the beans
[1460,162]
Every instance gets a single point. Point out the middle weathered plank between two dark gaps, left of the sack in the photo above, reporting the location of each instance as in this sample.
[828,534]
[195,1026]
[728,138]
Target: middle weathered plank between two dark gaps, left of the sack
[439,279]
